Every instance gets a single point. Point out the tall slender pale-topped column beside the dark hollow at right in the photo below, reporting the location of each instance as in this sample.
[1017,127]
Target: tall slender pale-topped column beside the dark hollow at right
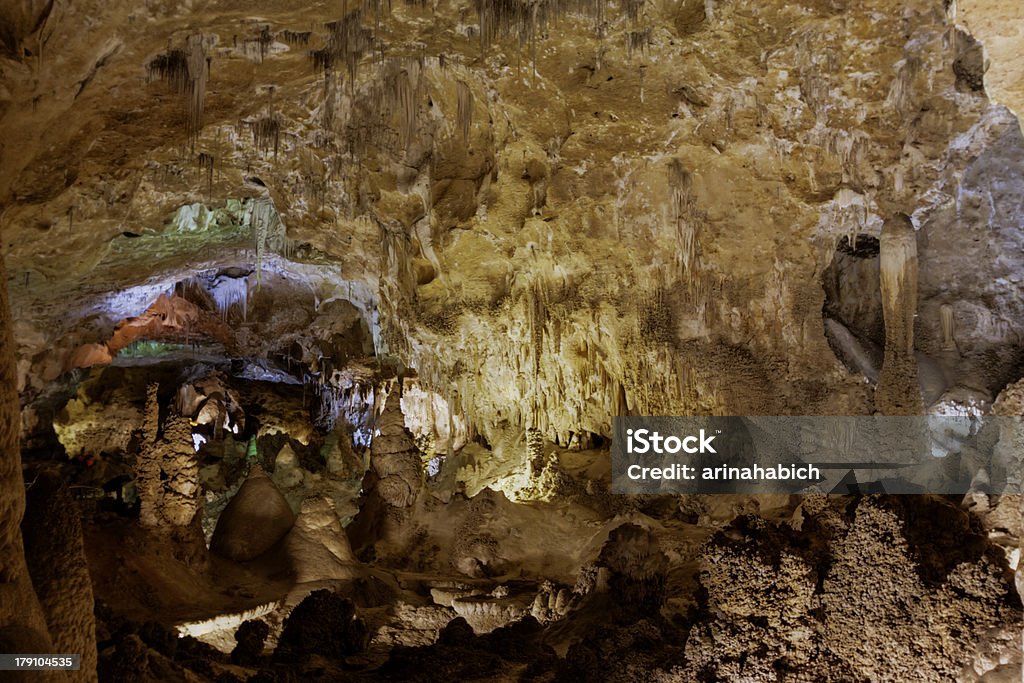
[900,392]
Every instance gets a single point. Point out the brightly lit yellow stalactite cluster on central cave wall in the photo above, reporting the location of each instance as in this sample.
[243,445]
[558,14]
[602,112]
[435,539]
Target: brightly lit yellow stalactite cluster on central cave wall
[561,373]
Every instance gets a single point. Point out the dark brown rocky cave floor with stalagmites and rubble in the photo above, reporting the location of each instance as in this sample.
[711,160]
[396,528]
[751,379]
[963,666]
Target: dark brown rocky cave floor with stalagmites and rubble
[320,570]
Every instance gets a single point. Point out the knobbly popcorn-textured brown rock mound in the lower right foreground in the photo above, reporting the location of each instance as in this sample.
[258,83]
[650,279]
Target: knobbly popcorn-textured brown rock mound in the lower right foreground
[877,609]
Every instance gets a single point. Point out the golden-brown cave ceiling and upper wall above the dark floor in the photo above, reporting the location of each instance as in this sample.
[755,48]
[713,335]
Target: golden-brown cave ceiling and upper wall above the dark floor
[548,217]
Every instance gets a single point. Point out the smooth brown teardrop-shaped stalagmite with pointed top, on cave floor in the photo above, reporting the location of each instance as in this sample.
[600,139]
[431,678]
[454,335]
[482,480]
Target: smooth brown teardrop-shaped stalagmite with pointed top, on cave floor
[257,519]
